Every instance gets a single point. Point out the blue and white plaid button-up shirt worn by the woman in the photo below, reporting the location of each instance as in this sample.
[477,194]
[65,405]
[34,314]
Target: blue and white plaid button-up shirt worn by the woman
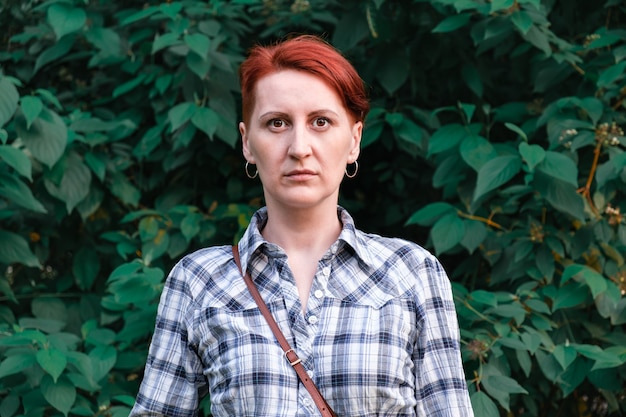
[379,336]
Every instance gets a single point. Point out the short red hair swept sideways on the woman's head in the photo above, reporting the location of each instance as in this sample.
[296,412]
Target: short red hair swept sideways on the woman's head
[309,54]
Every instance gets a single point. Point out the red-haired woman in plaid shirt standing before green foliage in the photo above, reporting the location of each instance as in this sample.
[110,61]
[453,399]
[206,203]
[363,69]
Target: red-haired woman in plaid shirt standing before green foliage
[371,318]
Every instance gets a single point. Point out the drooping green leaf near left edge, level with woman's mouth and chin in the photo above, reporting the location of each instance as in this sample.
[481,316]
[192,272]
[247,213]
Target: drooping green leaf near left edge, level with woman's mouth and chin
[74,185]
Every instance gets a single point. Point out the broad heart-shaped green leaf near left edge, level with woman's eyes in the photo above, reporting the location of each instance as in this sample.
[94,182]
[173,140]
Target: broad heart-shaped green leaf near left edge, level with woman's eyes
[46,138]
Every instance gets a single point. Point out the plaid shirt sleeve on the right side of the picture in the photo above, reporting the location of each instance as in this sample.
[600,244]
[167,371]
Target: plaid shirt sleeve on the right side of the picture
[441,390]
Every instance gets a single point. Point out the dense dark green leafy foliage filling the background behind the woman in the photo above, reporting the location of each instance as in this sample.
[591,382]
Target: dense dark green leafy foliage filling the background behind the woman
[495,139]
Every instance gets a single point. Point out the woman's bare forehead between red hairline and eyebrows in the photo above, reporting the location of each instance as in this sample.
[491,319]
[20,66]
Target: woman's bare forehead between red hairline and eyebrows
[295,89]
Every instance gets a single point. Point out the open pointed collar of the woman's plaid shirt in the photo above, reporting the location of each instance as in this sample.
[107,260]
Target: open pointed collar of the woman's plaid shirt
[253,243]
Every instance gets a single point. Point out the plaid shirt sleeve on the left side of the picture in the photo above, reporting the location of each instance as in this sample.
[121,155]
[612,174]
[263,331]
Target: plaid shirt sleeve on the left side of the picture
[173,382]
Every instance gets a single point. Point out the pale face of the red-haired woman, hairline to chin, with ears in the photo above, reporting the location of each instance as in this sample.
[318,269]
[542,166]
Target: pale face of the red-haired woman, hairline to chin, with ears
[301,137]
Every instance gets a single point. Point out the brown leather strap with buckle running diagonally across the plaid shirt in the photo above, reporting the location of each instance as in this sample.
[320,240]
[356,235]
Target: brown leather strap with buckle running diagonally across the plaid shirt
[290,354]
